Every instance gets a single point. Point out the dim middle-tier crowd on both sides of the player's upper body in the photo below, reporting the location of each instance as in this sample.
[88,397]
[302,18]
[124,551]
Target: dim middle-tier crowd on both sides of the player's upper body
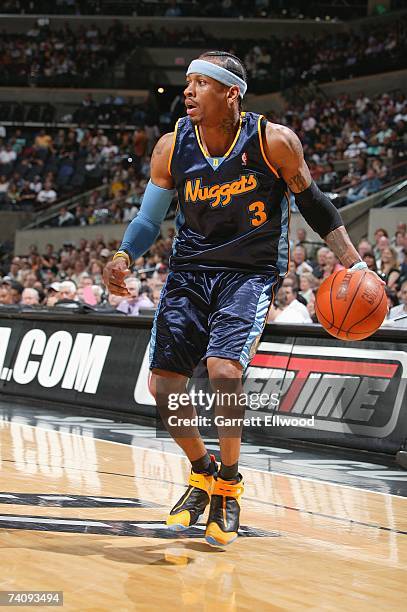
[352,147]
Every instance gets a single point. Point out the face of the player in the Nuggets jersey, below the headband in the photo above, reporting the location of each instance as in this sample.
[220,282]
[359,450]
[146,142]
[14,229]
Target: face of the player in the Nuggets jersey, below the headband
[205,99]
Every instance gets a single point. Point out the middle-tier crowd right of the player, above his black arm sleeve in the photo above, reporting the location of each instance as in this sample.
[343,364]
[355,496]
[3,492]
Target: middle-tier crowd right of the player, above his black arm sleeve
[369,133]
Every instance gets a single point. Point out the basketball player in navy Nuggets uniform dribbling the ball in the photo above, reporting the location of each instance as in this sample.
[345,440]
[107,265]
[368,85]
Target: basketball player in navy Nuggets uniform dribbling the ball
[231,171]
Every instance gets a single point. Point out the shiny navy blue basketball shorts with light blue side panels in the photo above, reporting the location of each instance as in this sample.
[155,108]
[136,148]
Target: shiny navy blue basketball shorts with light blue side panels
[209,314]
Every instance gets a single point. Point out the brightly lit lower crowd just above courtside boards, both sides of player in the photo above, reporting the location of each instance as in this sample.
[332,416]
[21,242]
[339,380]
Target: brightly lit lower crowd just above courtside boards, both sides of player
[72,276]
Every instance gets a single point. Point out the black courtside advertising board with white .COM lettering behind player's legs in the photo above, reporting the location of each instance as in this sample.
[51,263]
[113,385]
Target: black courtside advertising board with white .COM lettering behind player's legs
[350,394]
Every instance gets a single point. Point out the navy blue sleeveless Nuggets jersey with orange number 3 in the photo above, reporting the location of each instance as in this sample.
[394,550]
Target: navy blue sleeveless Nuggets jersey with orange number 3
[233,210]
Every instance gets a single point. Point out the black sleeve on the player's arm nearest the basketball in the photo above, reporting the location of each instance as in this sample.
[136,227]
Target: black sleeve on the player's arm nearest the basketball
[318,210]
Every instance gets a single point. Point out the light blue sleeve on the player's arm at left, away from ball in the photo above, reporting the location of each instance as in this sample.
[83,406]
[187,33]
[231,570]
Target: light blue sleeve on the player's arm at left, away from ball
[144,228]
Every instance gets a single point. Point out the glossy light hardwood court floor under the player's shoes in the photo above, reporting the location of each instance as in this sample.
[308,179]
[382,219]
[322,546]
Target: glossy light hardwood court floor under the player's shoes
[85,516]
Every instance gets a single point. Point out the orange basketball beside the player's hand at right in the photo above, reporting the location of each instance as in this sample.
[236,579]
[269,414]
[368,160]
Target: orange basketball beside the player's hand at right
[351,305]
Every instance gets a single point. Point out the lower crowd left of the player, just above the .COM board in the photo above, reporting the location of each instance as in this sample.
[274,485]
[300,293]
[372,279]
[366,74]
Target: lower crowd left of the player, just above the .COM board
[72,276]
